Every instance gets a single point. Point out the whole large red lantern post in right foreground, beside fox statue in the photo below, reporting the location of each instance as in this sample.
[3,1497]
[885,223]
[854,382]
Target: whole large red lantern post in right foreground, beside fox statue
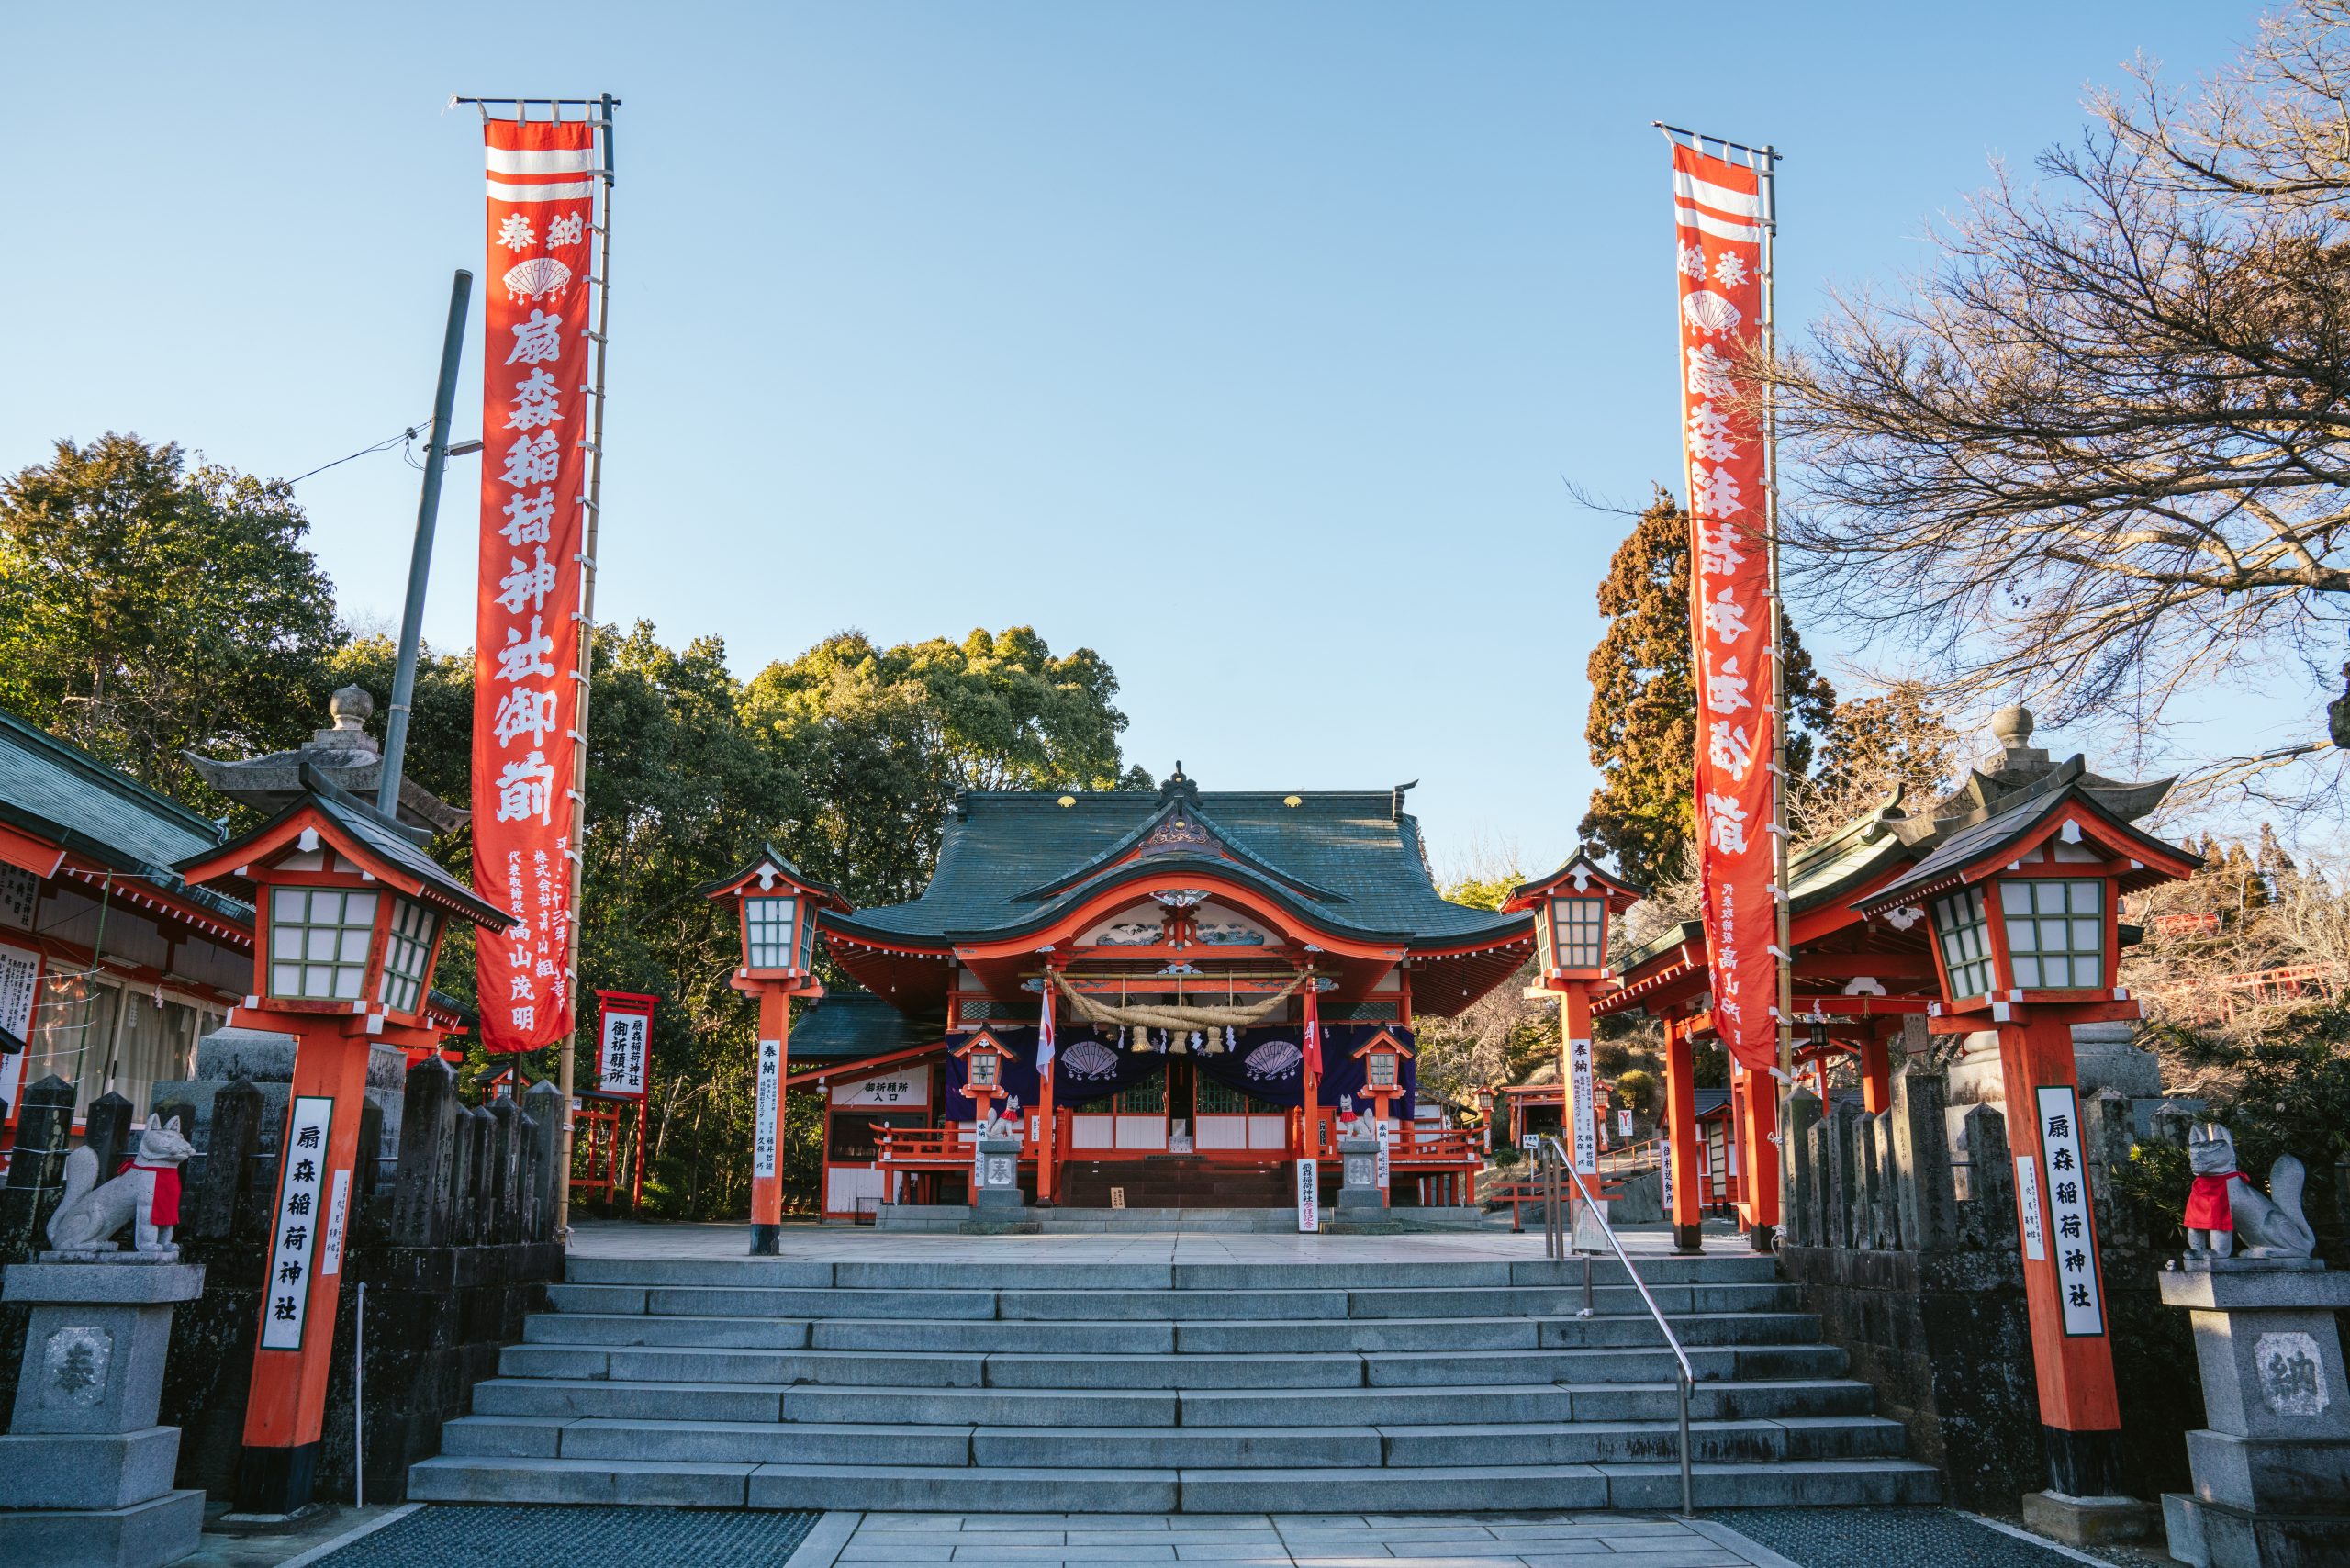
[2027,942]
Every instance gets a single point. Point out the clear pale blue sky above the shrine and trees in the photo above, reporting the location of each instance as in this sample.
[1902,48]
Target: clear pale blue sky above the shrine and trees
[1247,344]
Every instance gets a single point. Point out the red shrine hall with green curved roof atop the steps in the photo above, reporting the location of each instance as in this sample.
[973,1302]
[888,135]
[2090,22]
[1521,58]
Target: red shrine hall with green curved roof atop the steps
[1188,942]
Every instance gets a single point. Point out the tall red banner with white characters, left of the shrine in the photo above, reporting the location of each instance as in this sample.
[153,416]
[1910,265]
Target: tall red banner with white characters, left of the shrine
[528,645]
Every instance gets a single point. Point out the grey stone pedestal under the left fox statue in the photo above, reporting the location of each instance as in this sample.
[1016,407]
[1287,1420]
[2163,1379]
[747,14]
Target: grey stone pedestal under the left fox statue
[86,1473]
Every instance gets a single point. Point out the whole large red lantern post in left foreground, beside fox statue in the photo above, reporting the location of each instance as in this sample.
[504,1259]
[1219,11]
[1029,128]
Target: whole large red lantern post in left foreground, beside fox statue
[349,916]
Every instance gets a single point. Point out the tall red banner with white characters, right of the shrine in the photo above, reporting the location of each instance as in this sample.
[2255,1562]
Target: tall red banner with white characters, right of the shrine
[1719,255]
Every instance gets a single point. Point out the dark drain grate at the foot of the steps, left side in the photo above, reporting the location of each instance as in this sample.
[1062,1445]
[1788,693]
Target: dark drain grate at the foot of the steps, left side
[523,1536]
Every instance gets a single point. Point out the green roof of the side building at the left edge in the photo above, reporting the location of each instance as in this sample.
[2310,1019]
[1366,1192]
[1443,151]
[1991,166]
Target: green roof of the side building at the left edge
[62,793]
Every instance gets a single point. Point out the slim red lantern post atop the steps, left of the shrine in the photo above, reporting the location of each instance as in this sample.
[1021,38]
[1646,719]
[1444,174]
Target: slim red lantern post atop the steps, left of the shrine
[777,913]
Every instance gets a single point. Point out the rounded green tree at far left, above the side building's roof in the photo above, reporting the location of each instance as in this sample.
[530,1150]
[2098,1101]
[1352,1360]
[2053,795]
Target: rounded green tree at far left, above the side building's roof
[149,610]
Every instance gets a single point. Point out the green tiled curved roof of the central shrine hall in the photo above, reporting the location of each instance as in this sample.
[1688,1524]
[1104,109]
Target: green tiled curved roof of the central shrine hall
[1355,862]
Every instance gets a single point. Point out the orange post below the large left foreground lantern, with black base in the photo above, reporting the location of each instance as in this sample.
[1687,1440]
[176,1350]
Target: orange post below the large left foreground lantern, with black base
[304,1275]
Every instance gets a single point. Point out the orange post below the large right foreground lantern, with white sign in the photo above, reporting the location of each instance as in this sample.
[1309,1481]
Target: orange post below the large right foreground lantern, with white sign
[2064,1285]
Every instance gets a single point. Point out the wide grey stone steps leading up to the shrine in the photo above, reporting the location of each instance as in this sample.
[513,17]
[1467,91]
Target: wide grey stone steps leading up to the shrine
[991,1386]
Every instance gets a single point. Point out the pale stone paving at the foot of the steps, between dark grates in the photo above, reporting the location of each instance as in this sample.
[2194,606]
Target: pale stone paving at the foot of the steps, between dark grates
[1282,1541]
